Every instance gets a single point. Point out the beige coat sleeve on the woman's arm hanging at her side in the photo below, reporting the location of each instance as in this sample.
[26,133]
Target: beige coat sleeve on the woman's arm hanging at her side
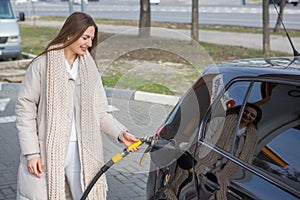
[27,110]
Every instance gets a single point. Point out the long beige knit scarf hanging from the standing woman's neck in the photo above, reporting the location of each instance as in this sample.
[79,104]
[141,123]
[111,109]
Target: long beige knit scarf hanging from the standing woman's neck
[89,138]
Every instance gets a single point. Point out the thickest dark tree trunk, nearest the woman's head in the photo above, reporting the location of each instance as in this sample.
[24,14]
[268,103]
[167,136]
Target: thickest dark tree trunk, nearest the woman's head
[145,18]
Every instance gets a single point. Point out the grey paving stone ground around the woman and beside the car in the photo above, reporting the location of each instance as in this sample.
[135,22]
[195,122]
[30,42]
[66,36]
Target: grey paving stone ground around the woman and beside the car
[126,179]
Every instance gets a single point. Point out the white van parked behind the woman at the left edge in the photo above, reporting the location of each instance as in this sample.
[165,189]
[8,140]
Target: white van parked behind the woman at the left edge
[10,40]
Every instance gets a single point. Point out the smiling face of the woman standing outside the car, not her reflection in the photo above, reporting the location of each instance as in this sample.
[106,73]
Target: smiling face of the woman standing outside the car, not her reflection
[84,42]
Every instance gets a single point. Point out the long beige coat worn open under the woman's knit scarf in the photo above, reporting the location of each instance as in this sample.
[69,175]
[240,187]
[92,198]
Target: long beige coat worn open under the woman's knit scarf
[31,112]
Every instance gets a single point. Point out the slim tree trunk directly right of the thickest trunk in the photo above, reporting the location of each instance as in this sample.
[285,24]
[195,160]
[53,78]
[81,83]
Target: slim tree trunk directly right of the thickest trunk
[195,22]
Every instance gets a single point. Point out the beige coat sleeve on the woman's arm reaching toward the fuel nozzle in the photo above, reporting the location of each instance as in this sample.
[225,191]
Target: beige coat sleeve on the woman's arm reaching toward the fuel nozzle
[109,124]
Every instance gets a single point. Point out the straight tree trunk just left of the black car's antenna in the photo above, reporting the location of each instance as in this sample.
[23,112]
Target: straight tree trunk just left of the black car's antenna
[266,32]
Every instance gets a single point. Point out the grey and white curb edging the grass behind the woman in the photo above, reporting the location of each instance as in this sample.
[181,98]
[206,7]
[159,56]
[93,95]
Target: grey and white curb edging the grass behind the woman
[119,93]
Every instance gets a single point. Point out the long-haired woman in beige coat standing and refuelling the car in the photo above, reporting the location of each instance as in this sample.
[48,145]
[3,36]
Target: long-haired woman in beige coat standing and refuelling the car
[61,110]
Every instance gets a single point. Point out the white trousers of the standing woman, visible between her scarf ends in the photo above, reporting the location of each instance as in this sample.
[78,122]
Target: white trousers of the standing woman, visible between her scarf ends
[72,170]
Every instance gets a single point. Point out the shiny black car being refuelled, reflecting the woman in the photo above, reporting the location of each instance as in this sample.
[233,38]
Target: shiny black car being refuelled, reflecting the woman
[235,134]
